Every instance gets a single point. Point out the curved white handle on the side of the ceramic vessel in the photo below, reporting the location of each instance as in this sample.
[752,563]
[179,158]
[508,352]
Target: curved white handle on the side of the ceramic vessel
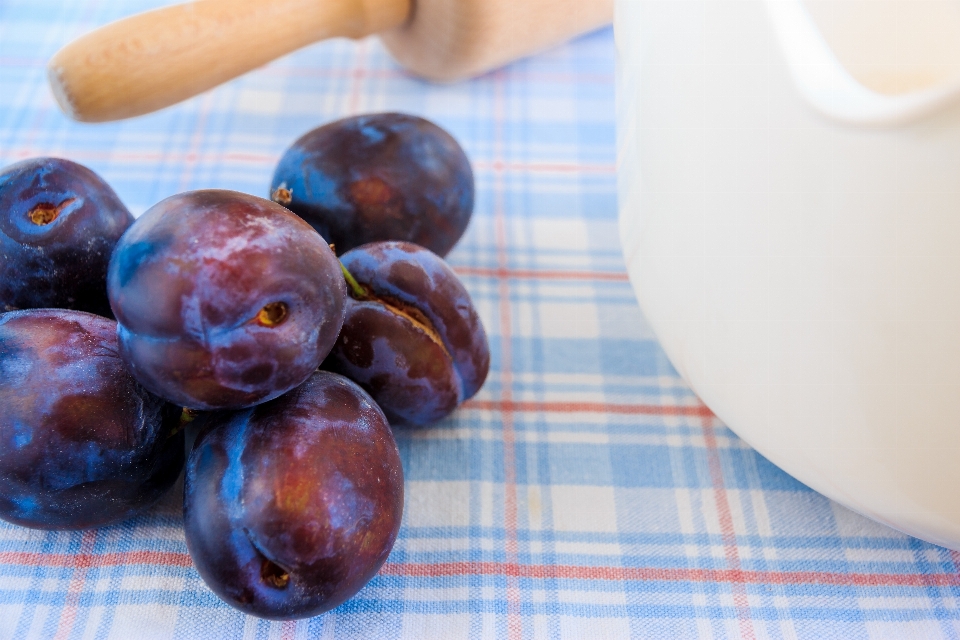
[829,88]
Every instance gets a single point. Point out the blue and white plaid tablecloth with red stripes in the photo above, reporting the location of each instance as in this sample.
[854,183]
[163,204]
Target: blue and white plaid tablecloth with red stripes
[584,493]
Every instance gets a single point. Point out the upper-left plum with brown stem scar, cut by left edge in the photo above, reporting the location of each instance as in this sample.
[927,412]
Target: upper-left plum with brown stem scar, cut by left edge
[59,222]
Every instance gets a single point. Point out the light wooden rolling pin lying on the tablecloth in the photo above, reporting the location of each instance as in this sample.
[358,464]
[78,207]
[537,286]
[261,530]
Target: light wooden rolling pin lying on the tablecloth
[160,57]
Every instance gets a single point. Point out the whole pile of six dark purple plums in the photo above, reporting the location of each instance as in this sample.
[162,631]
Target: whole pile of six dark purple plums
[232,315]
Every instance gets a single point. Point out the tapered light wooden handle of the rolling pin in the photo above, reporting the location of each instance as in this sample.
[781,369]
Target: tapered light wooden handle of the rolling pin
[155,59]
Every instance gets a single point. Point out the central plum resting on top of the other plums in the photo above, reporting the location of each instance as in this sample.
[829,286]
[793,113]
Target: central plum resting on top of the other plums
[223,299]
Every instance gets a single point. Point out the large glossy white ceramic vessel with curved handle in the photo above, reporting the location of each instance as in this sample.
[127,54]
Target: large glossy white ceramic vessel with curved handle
[790,217]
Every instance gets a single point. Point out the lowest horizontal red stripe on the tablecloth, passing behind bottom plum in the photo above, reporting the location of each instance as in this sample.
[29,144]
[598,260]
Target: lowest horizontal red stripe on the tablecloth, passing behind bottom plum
[531,571]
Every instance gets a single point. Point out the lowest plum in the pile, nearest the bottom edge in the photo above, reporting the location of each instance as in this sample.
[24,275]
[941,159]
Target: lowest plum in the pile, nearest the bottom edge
[292,506]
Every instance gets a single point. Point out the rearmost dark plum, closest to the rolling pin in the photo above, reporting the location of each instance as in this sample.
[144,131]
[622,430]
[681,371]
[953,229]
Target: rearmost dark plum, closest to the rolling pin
[386,176]
